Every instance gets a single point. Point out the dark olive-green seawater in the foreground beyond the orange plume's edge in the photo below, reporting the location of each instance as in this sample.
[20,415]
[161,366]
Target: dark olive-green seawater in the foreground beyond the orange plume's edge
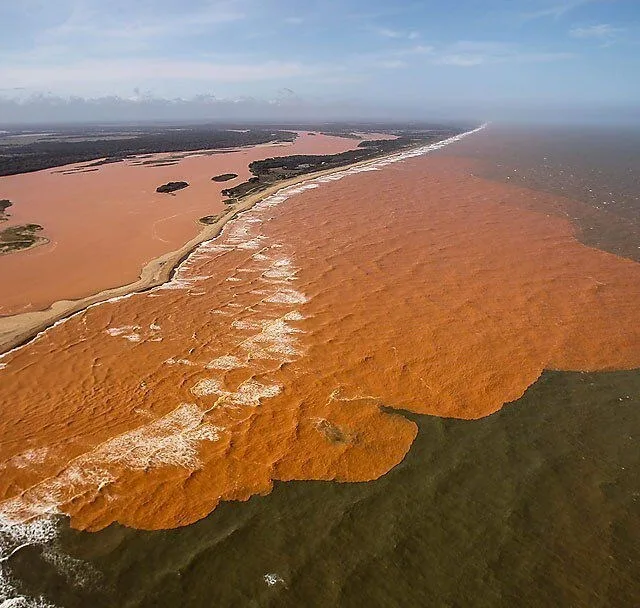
[537,505]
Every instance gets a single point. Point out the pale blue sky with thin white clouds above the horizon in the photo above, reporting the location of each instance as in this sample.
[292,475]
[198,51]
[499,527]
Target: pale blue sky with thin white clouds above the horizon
[321,58]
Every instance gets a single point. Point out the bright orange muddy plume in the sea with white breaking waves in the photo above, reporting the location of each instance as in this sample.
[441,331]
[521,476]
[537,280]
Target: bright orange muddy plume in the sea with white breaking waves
[271,354]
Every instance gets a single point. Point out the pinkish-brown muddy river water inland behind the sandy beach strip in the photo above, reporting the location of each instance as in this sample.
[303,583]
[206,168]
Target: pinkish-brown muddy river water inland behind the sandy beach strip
[105,225]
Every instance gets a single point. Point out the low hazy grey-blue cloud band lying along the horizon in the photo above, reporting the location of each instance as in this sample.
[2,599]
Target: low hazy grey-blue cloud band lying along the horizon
[59,110]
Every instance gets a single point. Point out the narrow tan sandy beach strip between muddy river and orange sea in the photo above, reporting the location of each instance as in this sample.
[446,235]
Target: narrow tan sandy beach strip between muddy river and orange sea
[18,330]
